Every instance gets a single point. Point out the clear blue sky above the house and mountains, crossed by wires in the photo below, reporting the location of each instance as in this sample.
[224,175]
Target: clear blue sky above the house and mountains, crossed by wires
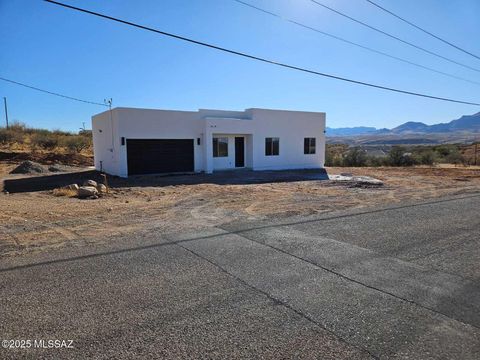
[86,57]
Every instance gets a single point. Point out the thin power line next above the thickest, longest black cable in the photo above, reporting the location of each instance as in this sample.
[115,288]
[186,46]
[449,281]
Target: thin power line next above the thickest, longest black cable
[353,43]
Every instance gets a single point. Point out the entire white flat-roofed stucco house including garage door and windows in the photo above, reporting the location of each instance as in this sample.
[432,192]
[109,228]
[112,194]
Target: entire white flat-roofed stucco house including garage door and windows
[130,141]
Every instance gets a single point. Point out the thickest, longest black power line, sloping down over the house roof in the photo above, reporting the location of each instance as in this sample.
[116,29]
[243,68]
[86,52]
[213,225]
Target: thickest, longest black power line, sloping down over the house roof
[253,57]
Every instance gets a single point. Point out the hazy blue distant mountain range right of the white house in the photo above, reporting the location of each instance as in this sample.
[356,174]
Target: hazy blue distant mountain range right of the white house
[467,123]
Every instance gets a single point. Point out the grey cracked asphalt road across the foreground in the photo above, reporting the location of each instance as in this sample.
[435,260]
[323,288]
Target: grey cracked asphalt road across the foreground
[398,282]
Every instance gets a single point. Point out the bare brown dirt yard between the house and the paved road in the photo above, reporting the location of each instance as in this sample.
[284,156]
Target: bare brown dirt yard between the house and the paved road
[39,221]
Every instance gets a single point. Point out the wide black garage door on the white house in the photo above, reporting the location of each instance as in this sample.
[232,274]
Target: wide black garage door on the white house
[152,156]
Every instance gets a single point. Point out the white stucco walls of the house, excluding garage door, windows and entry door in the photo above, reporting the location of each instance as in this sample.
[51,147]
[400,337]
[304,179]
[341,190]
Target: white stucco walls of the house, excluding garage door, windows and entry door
[291,127]
